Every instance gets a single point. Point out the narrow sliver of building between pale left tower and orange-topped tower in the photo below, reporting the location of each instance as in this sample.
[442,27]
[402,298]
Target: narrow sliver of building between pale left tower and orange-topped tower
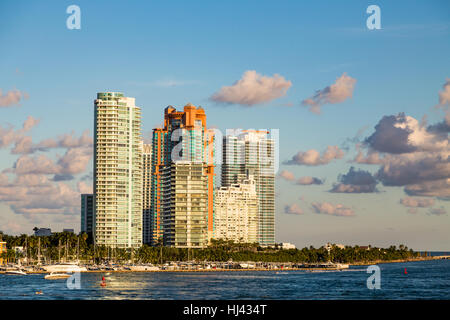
[146,193]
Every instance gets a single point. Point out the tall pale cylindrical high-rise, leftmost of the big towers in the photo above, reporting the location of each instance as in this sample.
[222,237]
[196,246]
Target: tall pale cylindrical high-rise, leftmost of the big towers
[117,171]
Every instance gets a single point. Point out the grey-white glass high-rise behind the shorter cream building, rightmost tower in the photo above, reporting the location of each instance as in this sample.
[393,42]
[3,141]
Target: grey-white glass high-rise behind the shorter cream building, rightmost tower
[252,152]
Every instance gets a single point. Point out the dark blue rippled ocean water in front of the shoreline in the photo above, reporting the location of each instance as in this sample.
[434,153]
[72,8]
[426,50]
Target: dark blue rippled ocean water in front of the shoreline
[424,280]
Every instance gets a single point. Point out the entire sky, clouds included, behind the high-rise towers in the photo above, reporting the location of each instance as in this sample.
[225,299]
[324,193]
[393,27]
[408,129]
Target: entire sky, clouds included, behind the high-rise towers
[363,114]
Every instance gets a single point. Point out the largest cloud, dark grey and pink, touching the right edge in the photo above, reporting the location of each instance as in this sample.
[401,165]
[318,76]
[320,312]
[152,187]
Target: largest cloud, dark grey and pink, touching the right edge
[411,154]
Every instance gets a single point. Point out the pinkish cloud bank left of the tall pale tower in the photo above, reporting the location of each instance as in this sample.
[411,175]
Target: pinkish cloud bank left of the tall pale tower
[38,187]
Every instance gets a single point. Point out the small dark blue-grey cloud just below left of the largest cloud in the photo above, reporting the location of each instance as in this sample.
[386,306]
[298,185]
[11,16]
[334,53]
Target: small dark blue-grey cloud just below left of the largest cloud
[355,181]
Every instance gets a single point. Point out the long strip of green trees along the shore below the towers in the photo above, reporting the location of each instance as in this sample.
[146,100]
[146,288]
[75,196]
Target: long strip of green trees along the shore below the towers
[67,246]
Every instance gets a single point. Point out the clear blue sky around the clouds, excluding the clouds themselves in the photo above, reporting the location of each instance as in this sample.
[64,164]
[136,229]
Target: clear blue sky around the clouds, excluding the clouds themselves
[177,52]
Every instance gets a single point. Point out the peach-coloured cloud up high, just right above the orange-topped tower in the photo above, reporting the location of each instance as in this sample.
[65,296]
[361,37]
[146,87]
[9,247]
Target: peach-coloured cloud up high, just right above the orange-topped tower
[253,88]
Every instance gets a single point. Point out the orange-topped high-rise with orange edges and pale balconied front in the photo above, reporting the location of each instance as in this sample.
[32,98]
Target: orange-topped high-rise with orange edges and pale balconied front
[182,196]
